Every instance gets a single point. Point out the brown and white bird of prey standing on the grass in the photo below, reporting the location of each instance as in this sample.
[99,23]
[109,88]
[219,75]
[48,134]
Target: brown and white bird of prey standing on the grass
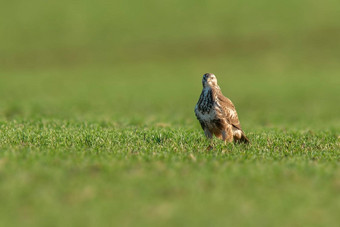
[217,114]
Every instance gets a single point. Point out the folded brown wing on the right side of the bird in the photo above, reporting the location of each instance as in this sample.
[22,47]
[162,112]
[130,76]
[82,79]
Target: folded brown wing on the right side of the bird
[229,111]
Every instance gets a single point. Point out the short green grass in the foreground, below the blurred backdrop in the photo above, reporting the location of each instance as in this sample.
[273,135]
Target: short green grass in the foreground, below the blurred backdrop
[74,173]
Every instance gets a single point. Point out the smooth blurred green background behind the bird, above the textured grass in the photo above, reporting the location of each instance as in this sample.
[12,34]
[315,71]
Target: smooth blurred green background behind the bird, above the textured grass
[142,62]
